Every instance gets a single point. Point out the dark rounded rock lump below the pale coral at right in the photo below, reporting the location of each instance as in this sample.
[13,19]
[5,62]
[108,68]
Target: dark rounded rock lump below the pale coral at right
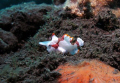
[107,20]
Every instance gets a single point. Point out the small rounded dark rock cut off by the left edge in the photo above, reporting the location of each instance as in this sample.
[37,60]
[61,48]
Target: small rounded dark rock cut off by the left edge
[8,41]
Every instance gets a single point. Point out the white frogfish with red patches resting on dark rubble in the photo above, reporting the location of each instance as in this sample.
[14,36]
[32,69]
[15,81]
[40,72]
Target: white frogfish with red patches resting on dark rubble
[63,44]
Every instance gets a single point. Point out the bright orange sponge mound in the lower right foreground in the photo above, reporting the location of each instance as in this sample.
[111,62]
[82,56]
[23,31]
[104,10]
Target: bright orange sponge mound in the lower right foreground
[88,72]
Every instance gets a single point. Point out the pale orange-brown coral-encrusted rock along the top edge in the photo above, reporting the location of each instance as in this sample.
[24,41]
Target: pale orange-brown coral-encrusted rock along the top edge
[88,8]
